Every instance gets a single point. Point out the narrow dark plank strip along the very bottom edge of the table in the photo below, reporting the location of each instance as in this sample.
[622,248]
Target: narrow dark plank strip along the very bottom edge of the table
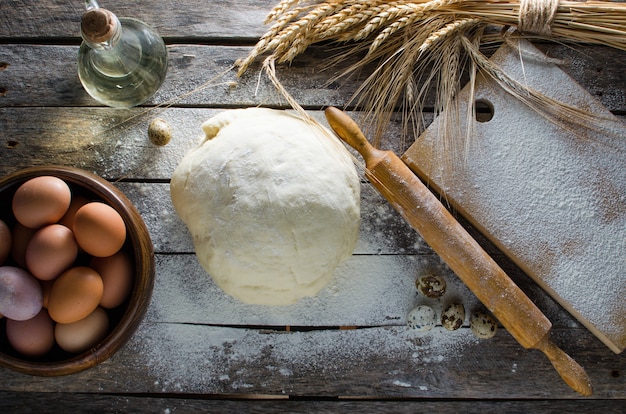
[70,402]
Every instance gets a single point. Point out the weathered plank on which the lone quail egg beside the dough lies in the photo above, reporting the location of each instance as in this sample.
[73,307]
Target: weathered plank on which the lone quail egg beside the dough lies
[112,143]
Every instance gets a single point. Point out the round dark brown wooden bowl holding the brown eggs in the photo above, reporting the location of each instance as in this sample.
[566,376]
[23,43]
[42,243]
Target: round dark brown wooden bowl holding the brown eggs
[124,319]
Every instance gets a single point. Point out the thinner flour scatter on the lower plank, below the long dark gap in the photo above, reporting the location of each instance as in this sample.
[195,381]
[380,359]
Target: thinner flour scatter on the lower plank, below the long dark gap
[220,359]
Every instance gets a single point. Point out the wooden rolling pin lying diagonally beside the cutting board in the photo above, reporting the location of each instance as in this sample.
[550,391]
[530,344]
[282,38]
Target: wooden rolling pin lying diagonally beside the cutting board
[491,285]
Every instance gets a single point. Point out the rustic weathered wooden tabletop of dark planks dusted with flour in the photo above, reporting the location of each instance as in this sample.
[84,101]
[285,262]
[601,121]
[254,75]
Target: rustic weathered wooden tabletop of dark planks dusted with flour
[198,349]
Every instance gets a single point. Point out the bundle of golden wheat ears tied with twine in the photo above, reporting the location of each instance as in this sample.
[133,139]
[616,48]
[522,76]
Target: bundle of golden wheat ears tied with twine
[424,42]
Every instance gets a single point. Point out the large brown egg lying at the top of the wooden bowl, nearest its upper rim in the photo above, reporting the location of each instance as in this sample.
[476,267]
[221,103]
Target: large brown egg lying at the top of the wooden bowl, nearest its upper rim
[40,201]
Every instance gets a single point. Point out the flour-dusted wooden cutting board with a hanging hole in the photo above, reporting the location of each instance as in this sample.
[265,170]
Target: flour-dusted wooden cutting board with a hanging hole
[553,202]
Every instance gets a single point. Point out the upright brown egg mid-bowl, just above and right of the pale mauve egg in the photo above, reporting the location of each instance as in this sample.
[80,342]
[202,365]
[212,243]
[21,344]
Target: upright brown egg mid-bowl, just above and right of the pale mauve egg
[51,251]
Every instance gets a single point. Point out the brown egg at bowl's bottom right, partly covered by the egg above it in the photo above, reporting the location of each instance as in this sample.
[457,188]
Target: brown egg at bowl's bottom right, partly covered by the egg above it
[83,334]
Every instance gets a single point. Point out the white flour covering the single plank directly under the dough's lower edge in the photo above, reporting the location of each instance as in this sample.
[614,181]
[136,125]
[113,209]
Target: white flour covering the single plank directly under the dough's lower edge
[365,291]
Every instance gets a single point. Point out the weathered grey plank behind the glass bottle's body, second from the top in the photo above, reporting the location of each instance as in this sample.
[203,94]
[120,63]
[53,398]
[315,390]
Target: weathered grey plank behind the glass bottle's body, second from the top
[30,80]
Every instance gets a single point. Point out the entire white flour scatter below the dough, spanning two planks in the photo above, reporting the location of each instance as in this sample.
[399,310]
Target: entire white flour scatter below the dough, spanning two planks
[217,347]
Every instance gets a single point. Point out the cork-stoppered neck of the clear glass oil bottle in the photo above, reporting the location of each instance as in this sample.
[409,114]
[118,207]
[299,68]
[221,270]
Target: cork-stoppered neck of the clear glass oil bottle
[100,29]
